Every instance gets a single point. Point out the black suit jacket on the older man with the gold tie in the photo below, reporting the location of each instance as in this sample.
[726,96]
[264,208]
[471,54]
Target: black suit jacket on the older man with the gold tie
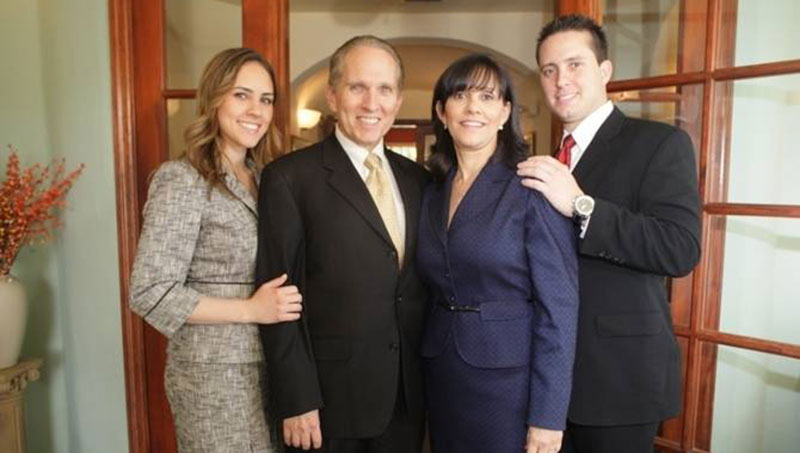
[362,316]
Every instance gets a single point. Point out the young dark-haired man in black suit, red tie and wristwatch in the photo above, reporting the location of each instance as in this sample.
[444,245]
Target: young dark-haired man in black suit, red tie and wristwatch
[631,186]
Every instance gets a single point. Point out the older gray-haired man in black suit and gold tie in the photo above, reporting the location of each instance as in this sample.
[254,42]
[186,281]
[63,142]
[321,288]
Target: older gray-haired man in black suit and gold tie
[340,217]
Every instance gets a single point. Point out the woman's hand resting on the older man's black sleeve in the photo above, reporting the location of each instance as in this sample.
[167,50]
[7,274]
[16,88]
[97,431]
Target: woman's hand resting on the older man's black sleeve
[274,303]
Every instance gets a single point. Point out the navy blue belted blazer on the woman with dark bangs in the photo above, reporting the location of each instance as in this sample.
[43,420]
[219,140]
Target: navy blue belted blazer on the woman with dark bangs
[511,258]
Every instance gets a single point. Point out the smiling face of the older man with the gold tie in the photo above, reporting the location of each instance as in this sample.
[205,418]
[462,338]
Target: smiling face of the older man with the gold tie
[367,97]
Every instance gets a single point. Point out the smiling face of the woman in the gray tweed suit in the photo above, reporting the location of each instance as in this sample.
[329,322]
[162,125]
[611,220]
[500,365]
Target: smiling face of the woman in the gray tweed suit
[246,110]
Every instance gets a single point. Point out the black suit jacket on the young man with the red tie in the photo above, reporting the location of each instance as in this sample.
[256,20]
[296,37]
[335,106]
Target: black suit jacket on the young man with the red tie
[645,226]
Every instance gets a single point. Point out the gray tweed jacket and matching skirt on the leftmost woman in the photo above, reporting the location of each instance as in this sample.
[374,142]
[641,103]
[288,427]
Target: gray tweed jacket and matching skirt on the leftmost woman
[199,242]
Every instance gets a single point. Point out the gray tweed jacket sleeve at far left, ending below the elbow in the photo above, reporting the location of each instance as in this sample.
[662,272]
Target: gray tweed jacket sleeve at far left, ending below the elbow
[170,229]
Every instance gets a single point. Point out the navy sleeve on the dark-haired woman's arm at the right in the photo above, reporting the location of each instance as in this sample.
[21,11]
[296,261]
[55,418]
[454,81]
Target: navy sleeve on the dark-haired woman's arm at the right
[551,248]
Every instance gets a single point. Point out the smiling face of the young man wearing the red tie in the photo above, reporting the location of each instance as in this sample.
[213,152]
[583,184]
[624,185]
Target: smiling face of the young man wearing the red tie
[573,81]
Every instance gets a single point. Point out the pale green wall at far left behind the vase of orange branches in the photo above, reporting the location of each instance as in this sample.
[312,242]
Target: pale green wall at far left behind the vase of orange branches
[57,102]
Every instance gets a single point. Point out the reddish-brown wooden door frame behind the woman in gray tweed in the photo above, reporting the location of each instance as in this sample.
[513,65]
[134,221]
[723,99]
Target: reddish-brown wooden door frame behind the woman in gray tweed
[139,123]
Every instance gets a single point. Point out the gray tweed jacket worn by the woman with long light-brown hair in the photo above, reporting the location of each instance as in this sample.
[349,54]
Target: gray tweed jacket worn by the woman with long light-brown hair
[195,241]
